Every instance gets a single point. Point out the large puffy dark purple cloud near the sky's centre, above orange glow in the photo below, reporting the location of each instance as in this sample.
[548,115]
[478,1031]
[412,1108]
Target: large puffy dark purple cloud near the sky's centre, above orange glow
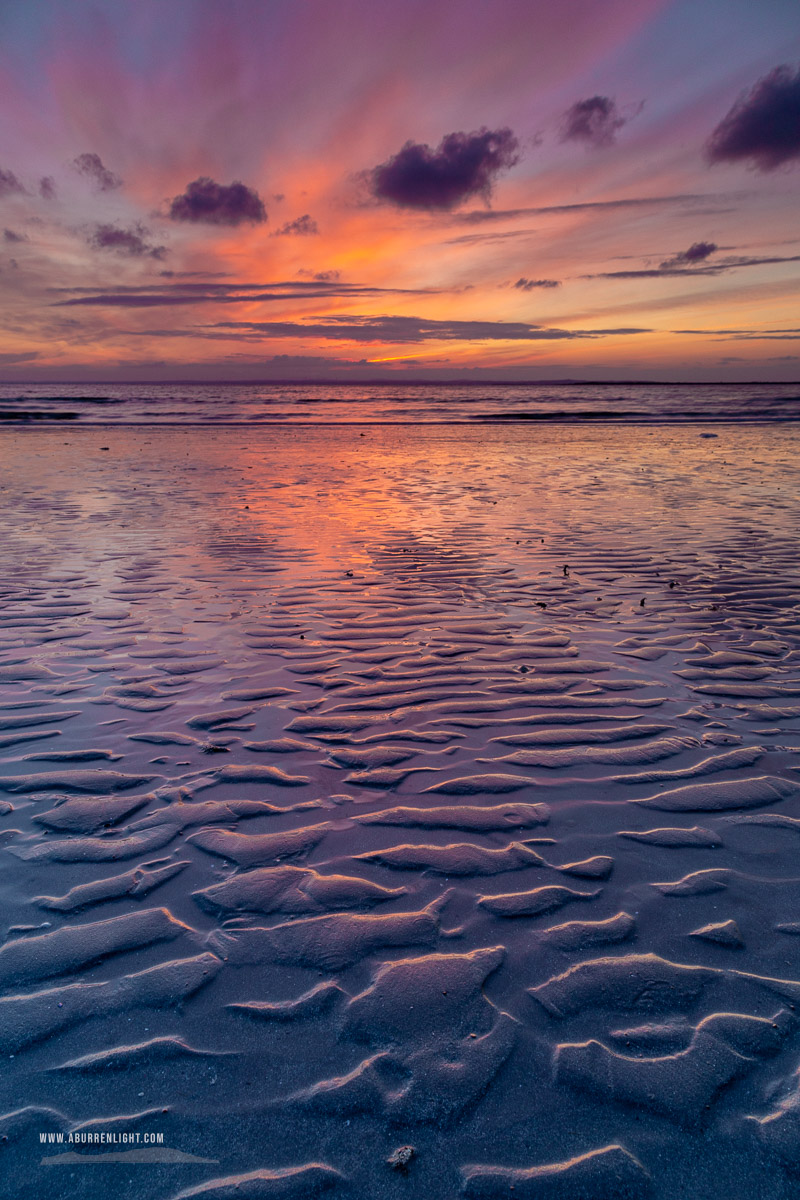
[462,166]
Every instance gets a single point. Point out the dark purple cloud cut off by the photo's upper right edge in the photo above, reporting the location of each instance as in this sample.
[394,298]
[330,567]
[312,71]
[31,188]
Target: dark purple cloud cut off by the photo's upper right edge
[765,124]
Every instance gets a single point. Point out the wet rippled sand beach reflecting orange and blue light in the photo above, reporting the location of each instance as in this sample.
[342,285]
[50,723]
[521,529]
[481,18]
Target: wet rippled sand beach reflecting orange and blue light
[380,789]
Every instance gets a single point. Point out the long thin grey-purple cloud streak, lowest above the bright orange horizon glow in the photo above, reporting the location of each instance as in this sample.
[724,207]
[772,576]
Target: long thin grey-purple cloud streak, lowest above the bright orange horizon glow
[412,329]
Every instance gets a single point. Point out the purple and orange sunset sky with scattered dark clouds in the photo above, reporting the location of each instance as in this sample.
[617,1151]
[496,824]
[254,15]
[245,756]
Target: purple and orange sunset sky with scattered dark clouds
[359,190]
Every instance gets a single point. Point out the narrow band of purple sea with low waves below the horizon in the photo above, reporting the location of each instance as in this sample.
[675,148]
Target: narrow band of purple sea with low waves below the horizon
[317,404]
